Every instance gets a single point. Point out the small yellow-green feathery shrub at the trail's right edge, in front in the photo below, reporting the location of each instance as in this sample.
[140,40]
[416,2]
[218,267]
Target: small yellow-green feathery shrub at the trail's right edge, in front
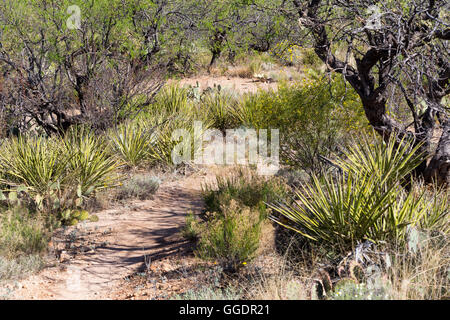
[230,238]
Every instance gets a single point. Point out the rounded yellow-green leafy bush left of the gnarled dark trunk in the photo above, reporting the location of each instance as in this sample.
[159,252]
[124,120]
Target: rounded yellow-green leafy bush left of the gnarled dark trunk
[314,116]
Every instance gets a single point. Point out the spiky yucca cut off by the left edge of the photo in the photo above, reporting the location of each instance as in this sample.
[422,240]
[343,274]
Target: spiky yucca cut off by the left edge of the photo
[36,163]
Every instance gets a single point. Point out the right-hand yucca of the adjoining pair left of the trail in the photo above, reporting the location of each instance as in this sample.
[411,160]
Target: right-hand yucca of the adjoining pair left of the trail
[91,163]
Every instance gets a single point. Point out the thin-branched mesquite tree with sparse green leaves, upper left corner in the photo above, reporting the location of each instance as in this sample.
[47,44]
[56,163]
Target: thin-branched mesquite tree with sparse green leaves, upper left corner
[93,70]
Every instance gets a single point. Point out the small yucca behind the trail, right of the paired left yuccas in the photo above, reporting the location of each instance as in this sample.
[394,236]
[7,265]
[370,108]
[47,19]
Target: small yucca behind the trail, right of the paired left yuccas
[131,142]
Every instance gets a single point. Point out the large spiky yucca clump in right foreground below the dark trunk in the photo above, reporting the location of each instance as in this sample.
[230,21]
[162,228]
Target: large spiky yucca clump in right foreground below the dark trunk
[366,202]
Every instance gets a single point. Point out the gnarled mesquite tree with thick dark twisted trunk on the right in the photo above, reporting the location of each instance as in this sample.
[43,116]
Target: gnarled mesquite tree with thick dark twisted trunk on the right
[395,55]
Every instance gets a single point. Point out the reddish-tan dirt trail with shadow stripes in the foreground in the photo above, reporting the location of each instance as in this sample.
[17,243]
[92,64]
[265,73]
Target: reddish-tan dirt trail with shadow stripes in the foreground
[151,230]
